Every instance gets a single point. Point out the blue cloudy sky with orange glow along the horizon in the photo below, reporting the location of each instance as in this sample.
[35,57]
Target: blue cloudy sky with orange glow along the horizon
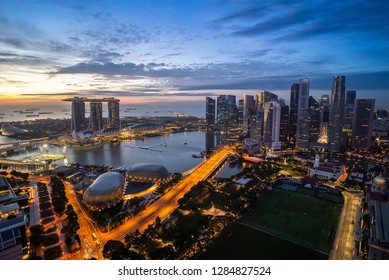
[181,51]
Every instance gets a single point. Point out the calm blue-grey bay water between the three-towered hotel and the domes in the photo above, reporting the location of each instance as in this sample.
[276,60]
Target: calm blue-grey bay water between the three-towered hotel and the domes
[173,151]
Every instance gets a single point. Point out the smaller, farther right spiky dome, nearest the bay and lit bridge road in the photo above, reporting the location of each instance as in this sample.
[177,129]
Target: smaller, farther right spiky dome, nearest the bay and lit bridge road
[148,172]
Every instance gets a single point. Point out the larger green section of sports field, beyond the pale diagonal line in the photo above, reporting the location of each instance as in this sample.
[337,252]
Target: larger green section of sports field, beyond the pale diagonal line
[299,217]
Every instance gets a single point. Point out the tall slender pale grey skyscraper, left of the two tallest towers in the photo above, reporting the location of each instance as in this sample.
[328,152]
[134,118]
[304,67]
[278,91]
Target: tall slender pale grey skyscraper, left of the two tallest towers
[302,135]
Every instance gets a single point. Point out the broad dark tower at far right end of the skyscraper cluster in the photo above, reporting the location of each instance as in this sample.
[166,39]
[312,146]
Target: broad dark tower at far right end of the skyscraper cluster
[362,123]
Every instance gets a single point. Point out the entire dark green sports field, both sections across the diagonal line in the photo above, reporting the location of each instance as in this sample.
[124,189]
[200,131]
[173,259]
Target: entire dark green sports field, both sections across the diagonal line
[281,225]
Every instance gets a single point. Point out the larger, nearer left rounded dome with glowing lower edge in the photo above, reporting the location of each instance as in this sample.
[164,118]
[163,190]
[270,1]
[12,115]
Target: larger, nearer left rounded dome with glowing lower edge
[106,191]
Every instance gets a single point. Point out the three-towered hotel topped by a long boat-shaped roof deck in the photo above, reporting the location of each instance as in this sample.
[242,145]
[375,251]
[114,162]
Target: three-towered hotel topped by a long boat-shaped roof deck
[96,113]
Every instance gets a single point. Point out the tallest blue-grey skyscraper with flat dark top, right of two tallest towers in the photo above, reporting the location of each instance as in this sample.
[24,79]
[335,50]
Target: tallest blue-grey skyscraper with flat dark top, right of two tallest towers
[337,112]
